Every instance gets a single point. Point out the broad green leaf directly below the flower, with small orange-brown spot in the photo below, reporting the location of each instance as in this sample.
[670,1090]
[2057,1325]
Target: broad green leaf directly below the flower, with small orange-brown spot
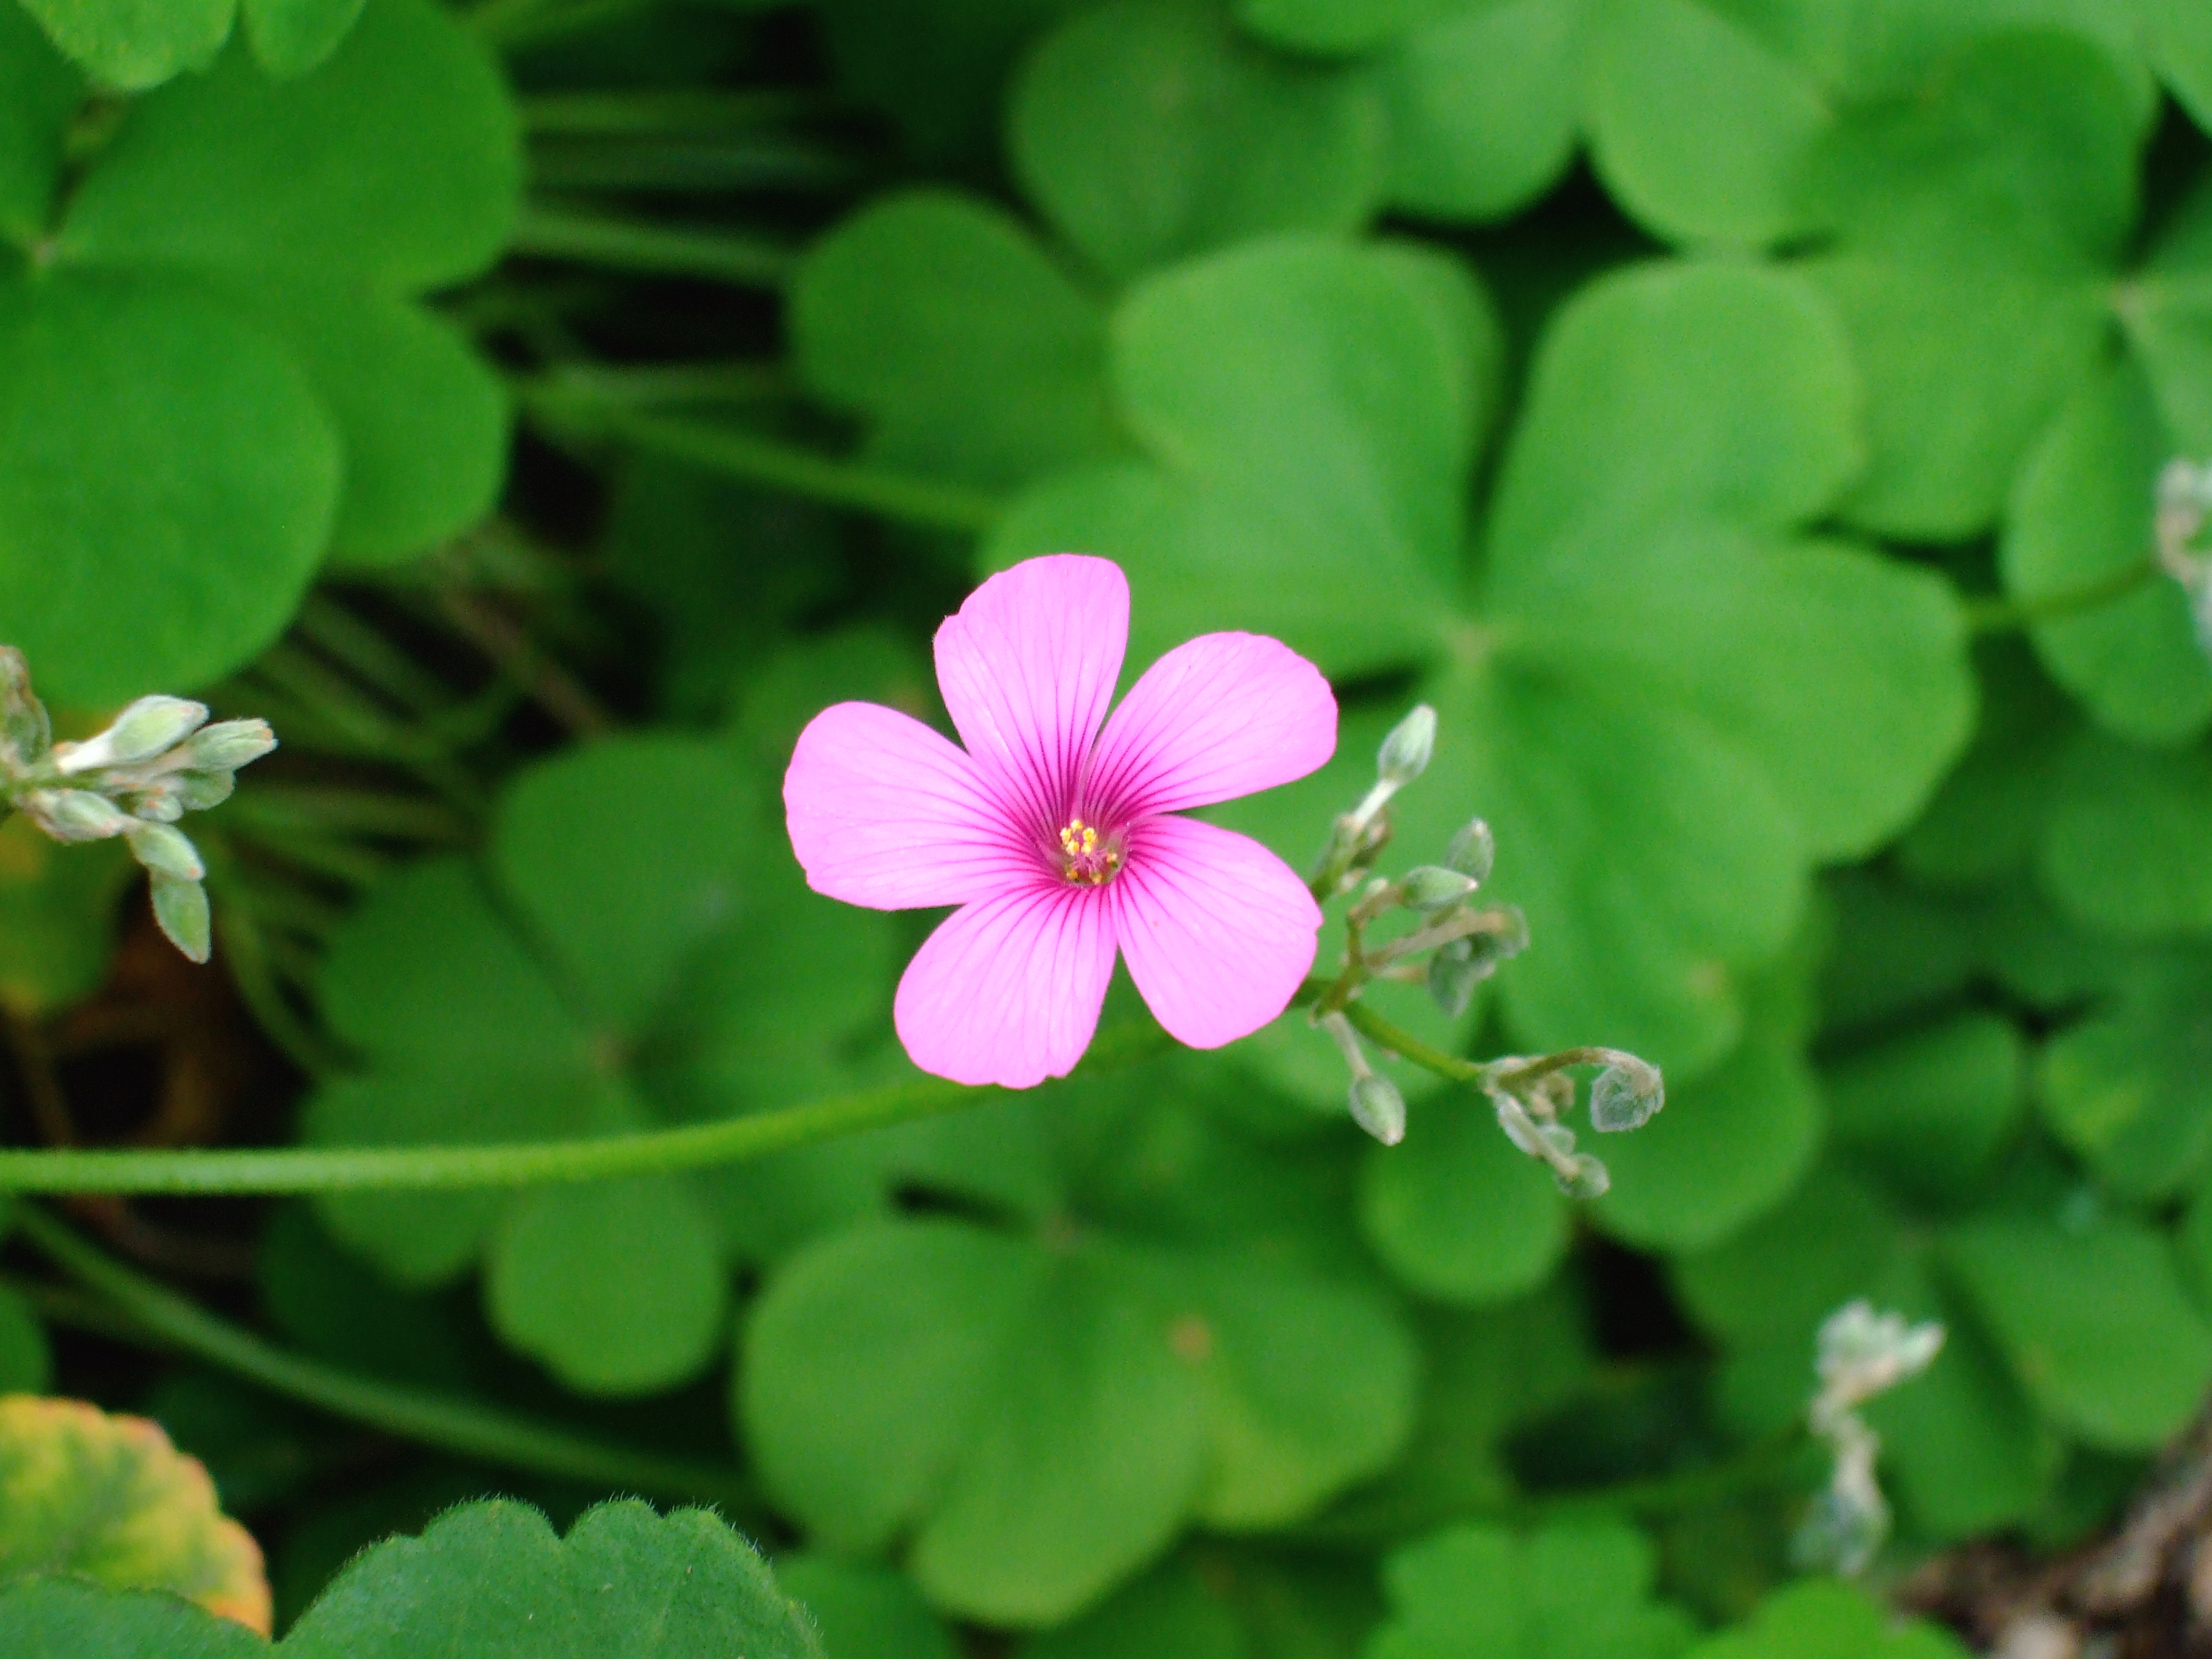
[1169,1331]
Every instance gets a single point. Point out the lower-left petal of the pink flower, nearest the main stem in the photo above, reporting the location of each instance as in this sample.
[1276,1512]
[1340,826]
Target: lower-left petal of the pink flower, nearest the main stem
[1008,992]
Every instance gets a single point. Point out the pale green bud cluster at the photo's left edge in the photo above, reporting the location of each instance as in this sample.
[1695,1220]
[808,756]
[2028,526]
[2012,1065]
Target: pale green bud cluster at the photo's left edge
[154,764]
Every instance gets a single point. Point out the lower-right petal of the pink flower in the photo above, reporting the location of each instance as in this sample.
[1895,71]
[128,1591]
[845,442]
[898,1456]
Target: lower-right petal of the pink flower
[1215,928]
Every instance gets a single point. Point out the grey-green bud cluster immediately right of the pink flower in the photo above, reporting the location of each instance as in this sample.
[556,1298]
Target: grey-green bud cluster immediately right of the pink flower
[1452,950]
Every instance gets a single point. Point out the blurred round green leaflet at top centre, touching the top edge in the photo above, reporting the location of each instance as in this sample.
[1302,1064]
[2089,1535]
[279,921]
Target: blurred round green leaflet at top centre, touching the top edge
[1147,132]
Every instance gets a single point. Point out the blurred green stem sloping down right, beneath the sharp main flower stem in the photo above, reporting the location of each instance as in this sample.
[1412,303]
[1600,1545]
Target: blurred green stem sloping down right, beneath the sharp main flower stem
[463,1428]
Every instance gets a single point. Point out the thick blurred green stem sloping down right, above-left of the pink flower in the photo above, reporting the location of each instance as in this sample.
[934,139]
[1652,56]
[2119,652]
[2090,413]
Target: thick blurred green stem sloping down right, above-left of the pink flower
[778,466]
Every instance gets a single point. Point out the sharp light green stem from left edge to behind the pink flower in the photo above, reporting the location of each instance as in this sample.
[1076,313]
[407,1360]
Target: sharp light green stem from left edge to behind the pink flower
[390,1169]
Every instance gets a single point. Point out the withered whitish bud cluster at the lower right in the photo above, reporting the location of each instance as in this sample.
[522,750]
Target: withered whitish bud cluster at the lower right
[1859,1357]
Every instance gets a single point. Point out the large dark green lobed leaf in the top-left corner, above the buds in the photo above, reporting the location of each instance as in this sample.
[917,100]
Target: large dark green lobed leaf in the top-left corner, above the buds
[225,300]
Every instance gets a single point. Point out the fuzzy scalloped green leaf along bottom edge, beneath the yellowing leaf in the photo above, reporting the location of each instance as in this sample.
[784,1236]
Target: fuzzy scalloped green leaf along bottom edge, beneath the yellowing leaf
[492,1580]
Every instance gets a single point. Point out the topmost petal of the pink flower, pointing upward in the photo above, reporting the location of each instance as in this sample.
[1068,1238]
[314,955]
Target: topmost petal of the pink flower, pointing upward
[1027,671]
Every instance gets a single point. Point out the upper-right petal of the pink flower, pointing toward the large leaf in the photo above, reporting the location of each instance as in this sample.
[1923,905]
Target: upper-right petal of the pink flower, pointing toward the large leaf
[1218,718]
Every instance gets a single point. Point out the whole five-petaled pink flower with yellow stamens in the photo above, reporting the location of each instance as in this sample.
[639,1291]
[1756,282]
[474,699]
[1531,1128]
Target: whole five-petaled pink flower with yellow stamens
[1056,839]
